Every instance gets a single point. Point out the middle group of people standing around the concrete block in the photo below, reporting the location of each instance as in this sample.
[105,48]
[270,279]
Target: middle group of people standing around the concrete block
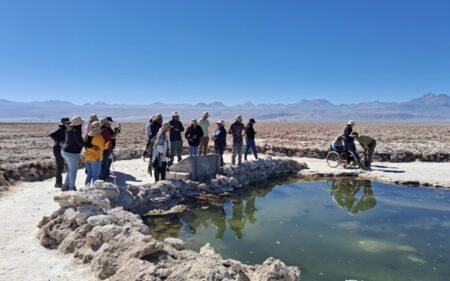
[165,141]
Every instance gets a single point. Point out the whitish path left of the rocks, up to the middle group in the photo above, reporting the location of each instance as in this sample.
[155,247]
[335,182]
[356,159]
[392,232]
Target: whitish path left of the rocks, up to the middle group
[21,208]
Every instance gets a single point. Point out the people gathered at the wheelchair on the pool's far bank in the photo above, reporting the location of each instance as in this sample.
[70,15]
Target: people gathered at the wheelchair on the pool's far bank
[346,143]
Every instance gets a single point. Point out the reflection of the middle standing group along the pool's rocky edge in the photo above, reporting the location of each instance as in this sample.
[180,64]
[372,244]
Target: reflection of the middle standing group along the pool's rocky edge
[242,211]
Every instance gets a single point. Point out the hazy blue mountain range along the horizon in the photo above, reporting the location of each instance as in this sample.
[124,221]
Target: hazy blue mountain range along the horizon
[427,108]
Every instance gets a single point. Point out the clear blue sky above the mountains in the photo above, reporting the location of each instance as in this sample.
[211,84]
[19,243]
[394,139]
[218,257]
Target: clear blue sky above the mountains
[231,51]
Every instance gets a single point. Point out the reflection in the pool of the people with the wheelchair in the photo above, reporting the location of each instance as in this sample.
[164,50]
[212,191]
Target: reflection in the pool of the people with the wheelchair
[345,192]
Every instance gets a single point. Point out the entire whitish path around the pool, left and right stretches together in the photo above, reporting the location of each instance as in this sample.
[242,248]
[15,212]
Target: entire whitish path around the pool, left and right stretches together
[24,205]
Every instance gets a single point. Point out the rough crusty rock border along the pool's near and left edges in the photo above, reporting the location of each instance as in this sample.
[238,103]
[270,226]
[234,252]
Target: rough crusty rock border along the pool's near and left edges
[94,224]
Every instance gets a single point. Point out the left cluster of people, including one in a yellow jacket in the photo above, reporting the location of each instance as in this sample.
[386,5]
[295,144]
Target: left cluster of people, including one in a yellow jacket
[98,139]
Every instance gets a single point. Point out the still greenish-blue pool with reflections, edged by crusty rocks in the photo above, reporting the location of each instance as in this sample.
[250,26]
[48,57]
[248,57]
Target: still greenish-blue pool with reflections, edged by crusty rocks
[335,230]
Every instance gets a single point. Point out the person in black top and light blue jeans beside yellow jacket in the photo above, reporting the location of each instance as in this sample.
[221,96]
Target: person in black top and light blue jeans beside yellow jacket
[71,150]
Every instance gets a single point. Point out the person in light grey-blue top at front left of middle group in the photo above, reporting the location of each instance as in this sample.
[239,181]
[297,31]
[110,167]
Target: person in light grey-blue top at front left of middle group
[161,148]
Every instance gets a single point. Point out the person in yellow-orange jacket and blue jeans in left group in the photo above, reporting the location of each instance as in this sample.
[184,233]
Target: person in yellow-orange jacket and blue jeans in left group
[94,155]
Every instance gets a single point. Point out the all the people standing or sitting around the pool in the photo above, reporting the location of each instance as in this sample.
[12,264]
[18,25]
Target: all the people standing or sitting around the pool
[165,142]
